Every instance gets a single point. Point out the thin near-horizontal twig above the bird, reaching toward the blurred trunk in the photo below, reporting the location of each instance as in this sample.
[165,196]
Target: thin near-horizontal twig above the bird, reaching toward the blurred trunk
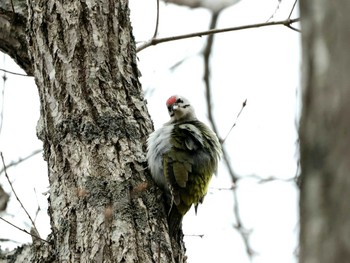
[156,41]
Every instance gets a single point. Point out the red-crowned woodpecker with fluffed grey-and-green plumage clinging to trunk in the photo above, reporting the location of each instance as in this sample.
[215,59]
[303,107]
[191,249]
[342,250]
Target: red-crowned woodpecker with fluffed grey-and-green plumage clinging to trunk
[182,157]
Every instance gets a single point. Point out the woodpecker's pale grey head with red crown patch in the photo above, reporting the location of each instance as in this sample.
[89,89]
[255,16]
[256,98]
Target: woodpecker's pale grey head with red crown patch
[180,109]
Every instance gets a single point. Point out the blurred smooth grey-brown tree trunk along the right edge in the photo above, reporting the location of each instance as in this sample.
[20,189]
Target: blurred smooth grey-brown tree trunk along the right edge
[325,132]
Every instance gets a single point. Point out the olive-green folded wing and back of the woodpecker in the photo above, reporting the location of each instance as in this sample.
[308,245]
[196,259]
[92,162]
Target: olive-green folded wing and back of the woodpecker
[189,164]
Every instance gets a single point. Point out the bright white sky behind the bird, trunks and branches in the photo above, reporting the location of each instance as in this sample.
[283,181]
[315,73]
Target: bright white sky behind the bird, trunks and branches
[260,65]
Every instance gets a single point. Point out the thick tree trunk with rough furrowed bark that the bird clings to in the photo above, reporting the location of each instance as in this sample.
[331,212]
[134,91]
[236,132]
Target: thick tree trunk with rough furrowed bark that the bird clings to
[103,206]
